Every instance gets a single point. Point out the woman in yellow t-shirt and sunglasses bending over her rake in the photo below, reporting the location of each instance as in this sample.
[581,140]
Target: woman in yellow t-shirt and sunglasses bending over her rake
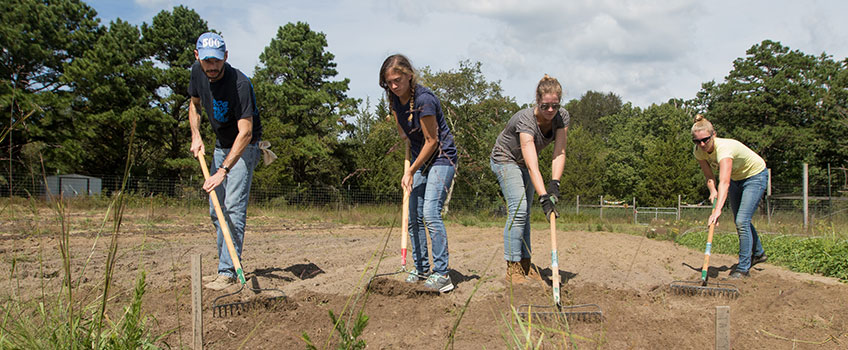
[742,179]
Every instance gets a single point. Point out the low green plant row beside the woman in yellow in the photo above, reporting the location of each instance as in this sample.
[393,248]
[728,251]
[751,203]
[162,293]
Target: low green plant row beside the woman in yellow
[827,255]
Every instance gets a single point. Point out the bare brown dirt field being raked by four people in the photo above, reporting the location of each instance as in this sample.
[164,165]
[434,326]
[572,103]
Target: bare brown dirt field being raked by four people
[319,266]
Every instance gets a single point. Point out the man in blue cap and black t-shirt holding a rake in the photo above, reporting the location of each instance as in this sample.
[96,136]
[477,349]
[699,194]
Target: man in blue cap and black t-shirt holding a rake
[226,95]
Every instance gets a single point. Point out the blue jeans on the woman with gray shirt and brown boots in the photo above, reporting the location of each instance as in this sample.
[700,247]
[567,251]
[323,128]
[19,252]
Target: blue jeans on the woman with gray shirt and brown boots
[518,192]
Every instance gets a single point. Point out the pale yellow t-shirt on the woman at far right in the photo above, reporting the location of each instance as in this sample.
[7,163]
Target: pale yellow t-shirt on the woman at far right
[746,163]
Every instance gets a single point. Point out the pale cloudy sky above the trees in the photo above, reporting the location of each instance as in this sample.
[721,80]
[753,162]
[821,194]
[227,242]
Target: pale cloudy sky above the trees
[644,51]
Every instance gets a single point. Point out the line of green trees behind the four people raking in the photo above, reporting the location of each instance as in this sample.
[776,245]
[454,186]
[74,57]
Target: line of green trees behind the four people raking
[76,90]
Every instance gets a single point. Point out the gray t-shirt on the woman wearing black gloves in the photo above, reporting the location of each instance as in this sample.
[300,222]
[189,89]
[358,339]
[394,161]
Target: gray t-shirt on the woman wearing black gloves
[508,147]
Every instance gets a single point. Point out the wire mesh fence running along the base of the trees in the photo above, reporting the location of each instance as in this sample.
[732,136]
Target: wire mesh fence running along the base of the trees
[784,205]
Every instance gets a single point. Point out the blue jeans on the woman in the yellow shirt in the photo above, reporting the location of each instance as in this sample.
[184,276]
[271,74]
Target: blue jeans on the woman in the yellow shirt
[744,196]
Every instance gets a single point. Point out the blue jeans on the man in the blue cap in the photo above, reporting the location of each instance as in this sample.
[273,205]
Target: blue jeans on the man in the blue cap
[233,194]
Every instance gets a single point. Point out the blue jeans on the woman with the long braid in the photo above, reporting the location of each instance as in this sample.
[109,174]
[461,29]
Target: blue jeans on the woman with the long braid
[429,191]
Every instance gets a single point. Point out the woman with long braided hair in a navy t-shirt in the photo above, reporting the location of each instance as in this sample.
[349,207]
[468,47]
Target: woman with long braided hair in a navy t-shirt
[433,160]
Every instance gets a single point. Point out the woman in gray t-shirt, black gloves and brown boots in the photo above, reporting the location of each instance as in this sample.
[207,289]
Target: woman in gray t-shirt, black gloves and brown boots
[515,161]
